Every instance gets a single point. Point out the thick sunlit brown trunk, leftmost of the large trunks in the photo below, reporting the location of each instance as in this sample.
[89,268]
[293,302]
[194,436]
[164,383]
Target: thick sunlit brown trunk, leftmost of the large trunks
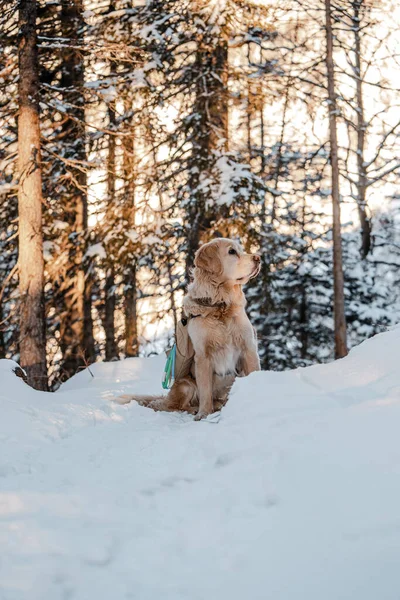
[31,263]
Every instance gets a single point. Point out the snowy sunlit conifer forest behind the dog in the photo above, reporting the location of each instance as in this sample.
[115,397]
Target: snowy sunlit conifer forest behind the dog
[133,131]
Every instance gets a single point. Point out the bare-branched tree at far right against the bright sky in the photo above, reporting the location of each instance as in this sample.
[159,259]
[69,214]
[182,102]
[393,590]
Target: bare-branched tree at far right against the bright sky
[368,104]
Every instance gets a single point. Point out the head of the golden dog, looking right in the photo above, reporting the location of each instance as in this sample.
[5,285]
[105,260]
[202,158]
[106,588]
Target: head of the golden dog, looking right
[225,261]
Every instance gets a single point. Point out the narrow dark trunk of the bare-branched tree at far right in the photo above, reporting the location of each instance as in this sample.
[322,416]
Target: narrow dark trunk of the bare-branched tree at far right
[365,222]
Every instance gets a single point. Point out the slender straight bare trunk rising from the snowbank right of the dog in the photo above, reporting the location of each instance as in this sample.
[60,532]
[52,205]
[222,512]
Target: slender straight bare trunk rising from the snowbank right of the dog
[339,309]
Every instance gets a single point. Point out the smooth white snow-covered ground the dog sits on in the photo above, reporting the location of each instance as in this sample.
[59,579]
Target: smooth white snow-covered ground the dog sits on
[293,494]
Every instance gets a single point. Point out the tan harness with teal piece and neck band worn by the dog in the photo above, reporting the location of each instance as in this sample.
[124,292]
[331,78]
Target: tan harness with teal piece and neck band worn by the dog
[180,356]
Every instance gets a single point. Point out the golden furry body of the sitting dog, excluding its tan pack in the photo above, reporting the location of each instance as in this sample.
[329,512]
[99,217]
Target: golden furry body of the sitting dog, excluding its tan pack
[224,341]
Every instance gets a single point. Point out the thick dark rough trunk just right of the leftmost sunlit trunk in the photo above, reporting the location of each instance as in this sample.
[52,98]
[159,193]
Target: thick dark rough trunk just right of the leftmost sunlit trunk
[77,341]
